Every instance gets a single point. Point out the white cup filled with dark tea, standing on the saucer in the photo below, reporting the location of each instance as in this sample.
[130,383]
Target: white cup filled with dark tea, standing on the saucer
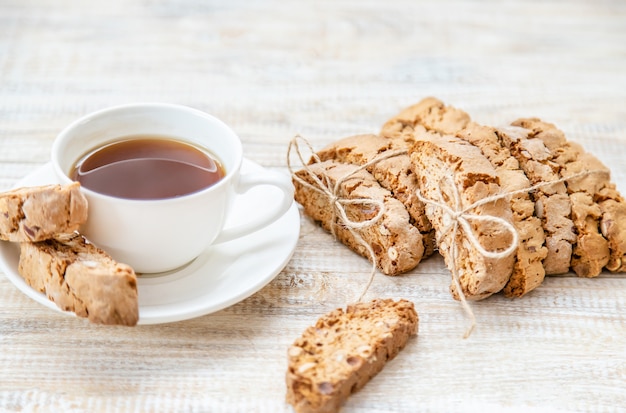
[160,180]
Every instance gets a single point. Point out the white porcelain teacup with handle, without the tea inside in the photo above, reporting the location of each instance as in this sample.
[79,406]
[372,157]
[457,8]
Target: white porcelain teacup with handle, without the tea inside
[160,235]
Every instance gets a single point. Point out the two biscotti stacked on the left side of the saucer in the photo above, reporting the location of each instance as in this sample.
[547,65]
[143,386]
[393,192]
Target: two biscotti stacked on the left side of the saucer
[59,262]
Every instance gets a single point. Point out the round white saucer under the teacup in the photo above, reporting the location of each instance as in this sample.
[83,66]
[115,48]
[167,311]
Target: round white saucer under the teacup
[224,275]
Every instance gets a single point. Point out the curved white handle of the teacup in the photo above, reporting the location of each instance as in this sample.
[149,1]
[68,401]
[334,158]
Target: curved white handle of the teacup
[248,181]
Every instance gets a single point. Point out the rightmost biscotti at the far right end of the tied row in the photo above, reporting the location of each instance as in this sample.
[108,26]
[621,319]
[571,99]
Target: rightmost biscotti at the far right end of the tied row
[598,210]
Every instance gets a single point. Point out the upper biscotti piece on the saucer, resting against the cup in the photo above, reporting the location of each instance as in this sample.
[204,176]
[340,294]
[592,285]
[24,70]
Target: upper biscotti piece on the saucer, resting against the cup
[42,212]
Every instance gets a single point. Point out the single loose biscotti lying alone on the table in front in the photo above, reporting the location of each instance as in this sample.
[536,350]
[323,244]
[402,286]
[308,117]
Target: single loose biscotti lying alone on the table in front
[344,350]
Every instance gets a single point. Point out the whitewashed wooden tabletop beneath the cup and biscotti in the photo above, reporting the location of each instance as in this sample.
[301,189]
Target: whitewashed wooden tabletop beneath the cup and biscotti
[325,70]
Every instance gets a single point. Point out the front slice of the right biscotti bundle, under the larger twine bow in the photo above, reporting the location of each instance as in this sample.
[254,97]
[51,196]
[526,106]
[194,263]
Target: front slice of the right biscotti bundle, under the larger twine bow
[446,165]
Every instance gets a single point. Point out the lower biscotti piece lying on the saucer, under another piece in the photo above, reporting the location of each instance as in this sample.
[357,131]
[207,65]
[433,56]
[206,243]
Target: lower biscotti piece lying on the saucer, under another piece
[81,278]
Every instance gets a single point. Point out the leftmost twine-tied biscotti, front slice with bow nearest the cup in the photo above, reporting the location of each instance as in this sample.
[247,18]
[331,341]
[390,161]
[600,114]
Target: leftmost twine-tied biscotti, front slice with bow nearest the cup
[396,243]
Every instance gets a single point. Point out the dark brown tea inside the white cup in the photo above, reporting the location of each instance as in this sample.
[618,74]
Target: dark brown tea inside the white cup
[147,167]
